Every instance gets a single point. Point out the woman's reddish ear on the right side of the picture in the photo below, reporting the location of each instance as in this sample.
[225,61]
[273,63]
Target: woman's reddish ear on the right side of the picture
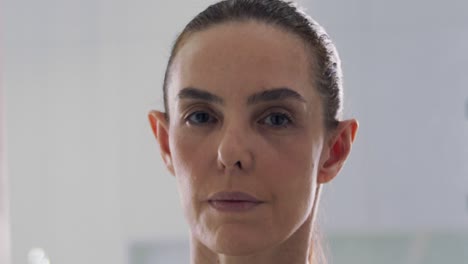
[336,150]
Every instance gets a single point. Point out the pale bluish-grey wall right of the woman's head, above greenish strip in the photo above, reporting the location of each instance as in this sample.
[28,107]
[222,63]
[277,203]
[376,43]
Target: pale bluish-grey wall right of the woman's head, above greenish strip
[405,78]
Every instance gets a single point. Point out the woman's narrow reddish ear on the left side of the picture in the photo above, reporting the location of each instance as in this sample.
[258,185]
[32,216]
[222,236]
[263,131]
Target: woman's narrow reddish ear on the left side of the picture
[160,125]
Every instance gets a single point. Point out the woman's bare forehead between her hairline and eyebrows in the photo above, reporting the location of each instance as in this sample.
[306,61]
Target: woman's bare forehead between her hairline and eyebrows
[240,58]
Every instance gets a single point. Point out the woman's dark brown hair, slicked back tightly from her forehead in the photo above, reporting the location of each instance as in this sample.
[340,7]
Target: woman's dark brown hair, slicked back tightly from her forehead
[326,69]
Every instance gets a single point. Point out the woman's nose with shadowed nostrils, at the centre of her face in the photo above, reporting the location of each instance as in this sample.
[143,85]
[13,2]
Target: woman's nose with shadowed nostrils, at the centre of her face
[235,150]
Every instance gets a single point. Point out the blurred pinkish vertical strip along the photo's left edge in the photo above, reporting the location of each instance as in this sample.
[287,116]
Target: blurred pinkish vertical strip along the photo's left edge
[4,210]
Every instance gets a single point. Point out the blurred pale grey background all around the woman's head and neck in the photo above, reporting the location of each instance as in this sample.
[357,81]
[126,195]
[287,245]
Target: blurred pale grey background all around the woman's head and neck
[85,180]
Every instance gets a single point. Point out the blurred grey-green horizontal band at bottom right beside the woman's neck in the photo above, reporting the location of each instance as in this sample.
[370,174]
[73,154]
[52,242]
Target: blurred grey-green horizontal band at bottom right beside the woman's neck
[424,248]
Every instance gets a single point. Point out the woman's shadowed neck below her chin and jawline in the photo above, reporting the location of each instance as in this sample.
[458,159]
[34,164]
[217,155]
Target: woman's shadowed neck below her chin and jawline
[294,250]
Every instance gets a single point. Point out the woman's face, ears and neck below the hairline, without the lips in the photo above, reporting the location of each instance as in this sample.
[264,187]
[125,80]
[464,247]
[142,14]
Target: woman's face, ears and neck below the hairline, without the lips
[231,130]
